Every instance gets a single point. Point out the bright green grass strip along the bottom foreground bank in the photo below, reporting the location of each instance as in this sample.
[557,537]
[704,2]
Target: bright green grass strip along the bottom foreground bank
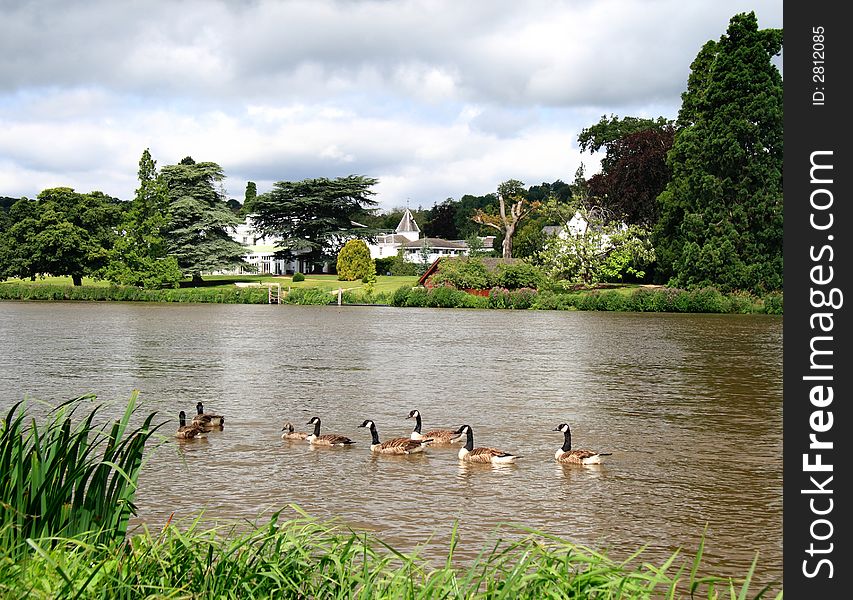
[303,558]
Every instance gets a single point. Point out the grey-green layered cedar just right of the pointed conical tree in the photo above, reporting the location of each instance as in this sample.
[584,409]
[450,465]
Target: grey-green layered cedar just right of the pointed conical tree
[198,229]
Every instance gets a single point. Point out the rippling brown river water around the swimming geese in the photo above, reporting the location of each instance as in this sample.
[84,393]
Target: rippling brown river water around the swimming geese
[689,405]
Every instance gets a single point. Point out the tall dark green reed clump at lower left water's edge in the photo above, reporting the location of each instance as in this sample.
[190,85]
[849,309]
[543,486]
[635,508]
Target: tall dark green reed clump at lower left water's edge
[65,479]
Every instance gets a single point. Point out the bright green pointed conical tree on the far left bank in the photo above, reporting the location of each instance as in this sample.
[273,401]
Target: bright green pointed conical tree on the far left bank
[139,256]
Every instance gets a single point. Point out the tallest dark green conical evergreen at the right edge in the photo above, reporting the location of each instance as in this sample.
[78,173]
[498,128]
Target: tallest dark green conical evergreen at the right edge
[721,213]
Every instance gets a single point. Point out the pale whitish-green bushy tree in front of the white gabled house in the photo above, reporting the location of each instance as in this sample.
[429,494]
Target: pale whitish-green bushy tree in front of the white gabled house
[604,251]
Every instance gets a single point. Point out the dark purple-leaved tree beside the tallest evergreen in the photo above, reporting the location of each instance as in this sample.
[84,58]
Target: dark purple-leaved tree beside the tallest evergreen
[634,172]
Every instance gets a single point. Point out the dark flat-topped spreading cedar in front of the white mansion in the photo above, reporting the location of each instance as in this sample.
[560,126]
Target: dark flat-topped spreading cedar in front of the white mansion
[313,217]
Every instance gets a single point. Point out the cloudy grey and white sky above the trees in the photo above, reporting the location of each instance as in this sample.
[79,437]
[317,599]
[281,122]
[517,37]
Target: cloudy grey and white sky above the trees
[434,98]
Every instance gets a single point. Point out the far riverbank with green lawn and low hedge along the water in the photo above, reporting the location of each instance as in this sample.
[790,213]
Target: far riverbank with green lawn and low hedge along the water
[403,292]
